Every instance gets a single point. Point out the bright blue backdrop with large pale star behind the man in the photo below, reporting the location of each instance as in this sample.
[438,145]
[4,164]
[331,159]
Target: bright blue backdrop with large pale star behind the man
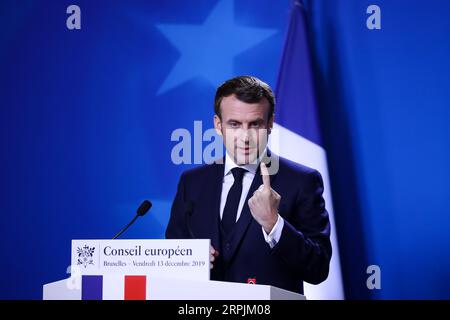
[86,118]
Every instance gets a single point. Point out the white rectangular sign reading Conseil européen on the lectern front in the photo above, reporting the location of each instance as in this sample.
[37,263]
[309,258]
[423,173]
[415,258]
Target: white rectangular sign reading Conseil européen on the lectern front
[174,258]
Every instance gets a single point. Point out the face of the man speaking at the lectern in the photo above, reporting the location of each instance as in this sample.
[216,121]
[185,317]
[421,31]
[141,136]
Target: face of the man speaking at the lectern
[244,128]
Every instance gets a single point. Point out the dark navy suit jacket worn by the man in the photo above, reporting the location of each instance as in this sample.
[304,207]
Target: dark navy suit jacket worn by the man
[304,250]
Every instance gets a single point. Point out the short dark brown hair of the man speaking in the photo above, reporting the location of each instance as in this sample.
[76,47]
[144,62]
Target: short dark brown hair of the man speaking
[247,89]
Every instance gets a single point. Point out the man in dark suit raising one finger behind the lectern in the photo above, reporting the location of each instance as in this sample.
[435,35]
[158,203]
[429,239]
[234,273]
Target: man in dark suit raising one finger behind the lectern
[265,227]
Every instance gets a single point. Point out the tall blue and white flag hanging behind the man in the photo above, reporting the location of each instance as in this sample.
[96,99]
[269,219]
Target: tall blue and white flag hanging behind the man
[299,137]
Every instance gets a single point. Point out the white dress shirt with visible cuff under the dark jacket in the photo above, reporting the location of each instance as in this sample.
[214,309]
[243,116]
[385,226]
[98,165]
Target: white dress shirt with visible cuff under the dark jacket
[274,236]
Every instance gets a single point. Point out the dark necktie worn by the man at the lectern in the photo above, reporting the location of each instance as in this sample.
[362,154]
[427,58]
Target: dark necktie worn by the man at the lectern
[233,198]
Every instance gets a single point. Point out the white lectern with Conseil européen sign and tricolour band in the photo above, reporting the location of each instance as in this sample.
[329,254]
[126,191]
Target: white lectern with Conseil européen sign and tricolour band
[150,270]
